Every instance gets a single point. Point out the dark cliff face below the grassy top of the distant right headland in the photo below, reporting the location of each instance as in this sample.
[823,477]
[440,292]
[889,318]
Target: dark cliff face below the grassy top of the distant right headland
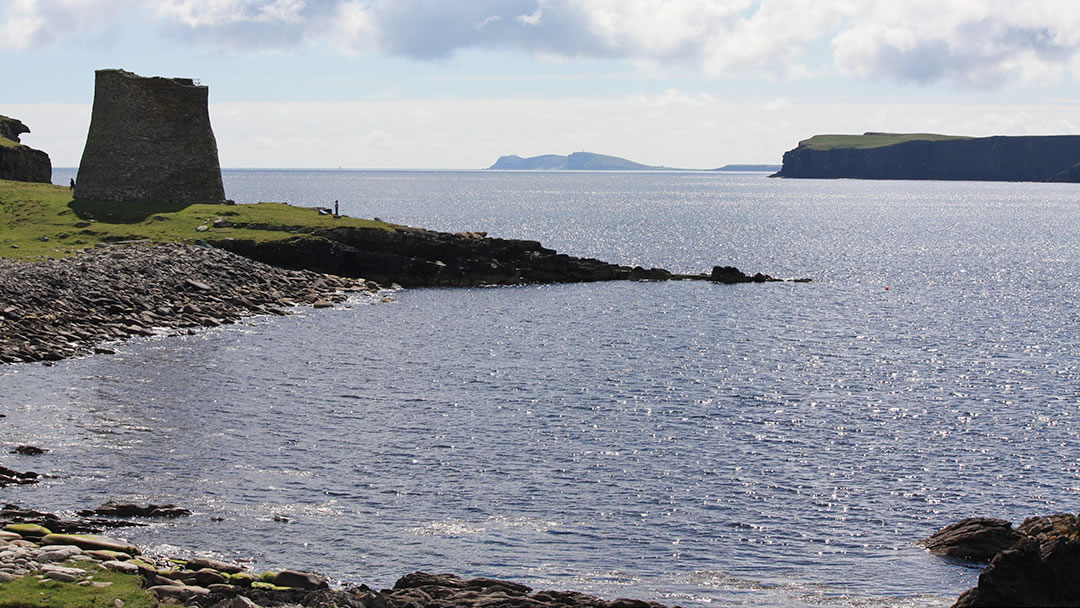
[1052,158]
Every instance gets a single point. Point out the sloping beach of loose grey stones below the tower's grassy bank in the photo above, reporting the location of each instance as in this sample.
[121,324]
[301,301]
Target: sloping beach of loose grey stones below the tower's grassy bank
[76,306]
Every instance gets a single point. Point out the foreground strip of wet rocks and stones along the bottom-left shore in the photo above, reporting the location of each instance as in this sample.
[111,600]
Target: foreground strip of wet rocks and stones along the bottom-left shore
[47,547]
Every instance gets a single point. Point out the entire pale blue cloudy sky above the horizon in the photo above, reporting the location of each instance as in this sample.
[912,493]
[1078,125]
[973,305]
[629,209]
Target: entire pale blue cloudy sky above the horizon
[458,84]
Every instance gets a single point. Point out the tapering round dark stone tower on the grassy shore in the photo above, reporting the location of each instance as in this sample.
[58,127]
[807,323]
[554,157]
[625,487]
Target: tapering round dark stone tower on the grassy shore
[150,141]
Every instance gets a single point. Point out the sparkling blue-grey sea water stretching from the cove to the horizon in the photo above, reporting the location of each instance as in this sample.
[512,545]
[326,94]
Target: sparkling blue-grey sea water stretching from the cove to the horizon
[748,445]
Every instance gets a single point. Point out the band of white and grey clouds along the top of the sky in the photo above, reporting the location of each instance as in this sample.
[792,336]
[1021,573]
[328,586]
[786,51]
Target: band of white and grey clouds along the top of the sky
[981,44]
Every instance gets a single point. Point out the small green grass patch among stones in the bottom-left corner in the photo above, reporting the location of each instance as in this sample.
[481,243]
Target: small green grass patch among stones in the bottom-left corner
[31,592]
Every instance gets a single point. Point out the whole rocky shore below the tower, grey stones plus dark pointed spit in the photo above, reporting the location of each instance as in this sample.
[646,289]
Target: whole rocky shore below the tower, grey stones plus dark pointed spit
[77,306]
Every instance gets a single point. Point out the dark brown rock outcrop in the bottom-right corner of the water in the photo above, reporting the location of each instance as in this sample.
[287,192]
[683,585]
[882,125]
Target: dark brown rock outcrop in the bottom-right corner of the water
[1034,565]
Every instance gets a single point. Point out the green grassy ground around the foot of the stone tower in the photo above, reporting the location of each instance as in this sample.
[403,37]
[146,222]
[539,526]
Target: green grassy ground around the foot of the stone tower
[40,221]
